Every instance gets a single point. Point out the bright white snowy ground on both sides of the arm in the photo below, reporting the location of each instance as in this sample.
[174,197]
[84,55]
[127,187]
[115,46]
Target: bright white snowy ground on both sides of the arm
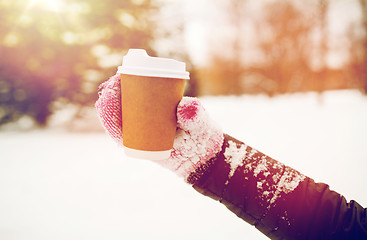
[60,185]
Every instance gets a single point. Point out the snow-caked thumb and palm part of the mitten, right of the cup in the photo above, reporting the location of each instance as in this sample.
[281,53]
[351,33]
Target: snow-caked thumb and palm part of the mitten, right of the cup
[198,139]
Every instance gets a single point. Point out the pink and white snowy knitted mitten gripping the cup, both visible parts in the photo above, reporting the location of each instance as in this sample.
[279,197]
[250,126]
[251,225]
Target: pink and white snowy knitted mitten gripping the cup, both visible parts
[197,138]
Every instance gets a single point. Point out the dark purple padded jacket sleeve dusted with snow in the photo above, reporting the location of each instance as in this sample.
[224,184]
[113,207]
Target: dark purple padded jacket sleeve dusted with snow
[278,200]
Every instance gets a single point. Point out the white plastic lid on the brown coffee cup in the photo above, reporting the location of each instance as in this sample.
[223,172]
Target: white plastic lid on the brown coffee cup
[138,62]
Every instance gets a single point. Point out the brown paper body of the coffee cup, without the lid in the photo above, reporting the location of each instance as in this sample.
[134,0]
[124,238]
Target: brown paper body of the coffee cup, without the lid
[149,115]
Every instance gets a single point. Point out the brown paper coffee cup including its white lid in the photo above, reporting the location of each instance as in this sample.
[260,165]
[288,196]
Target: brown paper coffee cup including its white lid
[151,89]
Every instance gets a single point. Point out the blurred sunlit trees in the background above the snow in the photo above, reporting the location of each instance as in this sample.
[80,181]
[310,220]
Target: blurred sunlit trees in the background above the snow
[56,52]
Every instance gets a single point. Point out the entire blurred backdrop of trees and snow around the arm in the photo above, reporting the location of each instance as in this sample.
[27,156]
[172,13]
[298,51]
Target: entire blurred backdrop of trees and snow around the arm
[289,77]
